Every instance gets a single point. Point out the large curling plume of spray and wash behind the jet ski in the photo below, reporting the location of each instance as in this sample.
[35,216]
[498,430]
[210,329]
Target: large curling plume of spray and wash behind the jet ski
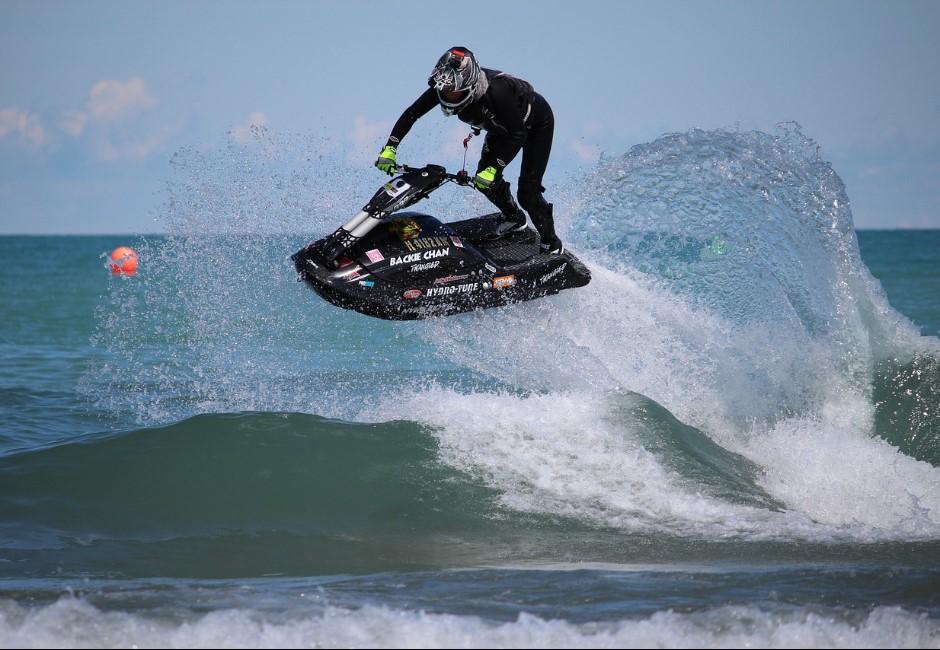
[728,287]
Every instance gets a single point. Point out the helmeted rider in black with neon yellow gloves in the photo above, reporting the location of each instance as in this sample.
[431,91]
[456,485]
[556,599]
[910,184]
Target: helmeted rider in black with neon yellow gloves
[514,117]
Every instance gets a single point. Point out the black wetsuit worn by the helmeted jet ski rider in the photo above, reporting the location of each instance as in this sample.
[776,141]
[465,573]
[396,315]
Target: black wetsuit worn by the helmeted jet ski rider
[514,117]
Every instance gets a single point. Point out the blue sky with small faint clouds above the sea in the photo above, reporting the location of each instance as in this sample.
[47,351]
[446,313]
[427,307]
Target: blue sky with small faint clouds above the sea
[96,97]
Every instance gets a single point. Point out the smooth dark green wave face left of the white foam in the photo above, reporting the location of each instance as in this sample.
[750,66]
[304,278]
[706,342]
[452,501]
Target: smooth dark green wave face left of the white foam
[293,483]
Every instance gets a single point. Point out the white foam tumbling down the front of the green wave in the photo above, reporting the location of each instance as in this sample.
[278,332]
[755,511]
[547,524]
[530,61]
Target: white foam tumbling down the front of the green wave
[557,454]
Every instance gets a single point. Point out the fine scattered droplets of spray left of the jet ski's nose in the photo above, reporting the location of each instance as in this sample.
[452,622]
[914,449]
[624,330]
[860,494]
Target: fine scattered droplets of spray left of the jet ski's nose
[218,323]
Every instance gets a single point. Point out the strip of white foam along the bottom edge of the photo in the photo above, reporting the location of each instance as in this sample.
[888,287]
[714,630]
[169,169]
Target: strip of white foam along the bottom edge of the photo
[73,623]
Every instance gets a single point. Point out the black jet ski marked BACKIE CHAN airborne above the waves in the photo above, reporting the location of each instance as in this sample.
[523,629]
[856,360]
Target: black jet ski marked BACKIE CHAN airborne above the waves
[408,265]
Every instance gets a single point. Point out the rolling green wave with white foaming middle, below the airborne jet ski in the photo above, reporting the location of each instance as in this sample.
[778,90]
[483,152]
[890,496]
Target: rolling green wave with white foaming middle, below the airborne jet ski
[294,494]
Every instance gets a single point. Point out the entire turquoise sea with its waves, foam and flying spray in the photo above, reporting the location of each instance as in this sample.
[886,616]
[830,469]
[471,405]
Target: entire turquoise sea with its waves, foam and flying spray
[730,438]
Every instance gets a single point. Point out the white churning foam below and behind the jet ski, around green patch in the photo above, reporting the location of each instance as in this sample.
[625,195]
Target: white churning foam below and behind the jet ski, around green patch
[559,452]
